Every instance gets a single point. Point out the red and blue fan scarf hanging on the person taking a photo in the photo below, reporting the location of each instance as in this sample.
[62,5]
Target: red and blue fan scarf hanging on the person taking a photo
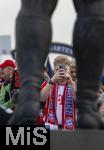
[68,108]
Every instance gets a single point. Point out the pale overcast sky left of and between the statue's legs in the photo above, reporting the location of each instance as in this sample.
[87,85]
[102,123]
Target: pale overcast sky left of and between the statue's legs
[63,20]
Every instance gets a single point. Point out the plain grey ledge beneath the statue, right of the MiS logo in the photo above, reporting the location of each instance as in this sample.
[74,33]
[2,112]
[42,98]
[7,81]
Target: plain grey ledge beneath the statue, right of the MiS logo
[78,140]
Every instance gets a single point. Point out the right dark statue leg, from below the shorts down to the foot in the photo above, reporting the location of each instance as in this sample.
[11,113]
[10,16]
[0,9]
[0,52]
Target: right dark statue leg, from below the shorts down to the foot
[89,53]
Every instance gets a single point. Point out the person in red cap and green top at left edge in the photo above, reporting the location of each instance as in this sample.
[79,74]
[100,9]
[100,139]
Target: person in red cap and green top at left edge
[8,67]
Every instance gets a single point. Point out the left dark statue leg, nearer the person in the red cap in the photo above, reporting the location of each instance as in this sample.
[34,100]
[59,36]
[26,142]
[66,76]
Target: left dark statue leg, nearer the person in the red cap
[33,39]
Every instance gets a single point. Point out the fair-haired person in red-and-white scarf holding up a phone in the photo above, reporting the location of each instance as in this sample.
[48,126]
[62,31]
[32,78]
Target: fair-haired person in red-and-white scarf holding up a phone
[59,94]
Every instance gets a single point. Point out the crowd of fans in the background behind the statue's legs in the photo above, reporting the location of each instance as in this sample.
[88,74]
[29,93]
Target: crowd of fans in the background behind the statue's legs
[58,93]
